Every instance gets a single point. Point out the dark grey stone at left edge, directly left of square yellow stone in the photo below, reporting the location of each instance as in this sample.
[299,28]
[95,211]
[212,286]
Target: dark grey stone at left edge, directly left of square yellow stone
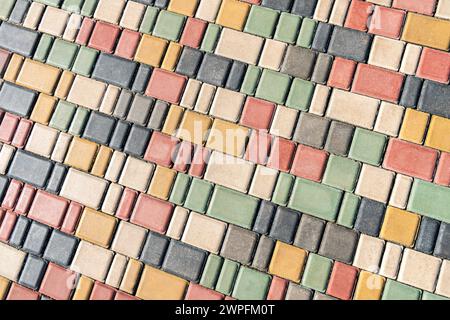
[17,99]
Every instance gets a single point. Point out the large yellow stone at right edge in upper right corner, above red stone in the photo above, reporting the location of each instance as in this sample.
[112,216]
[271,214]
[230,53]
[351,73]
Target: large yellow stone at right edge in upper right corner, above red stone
[427,31]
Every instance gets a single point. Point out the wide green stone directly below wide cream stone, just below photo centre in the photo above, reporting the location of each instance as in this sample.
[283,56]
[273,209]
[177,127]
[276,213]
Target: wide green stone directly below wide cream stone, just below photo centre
[233,207]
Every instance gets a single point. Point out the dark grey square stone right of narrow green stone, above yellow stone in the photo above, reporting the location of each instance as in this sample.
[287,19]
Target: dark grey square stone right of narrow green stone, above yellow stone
[99,128]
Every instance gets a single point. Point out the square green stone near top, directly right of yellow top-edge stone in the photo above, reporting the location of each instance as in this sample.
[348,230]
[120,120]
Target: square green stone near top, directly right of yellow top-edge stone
[261,21]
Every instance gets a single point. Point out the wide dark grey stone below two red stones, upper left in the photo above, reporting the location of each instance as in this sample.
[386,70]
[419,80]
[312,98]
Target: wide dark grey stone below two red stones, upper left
[114,70]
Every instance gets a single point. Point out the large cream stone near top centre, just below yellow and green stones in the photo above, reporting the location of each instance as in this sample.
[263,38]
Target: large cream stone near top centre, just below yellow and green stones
[232,42]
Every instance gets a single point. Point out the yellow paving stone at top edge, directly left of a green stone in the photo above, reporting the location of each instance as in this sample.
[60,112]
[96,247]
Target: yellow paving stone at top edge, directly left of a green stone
[233,14]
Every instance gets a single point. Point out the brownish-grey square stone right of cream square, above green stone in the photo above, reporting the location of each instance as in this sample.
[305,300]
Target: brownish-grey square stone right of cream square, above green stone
[299,62]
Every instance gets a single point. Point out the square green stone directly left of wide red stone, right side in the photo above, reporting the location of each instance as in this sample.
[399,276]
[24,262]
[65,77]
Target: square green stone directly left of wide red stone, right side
[367,146]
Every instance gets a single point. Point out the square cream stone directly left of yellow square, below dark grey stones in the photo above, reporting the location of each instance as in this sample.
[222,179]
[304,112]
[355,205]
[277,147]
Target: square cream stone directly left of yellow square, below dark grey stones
[136,174]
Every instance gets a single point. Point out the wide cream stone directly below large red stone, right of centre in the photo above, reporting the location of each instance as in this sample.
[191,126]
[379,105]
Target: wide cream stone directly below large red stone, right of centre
[353,108]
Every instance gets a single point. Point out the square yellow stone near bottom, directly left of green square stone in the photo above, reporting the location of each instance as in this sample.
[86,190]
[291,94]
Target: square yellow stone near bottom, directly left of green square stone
[287,261]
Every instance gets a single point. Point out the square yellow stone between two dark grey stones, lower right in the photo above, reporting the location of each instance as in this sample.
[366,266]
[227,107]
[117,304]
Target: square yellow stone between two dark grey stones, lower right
[400,226]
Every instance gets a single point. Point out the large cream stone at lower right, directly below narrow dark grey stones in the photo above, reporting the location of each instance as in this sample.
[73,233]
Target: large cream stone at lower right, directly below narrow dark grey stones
[419,270]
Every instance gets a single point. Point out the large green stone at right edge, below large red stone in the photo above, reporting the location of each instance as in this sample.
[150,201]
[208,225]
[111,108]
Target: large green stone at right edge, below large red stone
[419,200]
